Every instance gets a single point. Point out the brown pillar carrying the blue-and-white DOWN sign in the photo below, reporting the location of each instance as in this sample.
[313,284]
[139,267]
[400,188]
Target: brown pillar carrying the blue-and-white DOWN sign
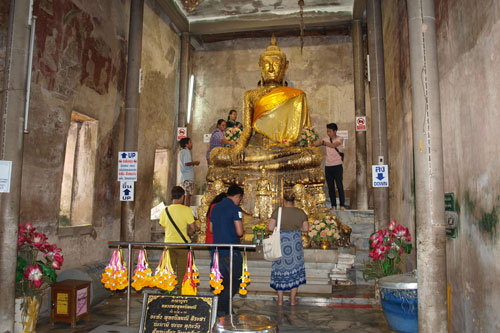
[377,99]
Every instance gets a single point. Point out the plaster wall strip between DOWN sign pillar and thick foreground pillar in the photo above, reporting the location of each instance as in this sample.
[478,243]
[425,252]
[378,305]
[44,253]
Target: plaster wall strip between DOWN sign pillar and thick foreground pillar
[399,115]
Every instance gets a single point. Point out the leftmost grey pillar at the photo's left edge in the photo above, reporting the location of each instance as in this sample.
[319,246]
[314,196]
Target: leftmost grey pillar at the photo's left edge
[11,149]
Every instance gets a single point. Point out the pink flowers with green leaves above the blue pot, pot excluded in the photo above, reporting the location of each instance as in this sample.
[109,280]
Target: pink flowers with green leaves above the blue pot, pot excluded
[388,250]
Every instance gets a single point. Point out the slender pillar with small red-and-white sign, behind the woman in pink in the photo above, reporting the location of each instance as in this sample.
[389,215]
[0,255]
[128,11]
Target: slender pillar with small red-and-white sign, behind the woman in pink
[360,111]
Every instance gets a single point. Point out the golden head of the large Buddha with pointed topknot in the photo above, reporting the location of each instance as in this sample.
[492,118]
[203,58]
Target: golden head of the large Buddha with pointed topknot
[273,63]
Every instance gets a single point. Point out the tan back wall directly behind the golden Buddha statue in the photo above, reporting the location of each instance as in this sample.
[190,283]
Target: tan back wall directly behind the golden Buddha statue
[225,70]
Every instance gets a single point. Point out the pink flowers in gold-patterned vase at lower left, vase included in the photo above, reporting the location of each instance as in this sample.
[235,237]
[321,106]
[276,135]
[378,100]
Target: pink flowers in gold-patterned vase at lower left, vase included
[37,262]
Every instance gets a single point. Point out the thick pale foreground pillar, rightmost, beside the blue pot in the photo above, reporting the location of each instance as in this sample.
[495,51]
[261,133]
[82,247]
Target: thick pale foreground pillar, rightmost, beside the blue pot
[428,161]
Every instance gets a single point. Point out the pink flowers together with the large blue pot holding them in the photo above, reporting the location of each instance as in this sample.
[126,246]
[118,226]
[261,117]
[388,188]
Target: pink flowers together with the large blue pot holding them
[398,292]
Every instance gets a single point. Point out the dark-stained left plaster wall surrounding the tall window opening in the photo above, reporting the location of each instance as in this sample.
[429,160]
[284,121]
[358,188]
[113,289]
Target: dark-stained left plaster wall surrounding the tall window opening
[79,65]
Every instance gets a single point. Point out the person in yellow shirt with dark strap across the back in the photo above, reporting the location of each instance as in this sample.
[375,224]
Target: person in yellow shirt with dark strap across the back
[183,218]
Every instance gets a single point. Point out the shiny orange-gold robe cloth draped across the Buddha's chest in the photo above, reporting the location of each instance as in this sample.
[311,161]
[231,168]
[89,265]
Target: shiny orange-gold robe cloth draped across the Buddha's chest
[281,114]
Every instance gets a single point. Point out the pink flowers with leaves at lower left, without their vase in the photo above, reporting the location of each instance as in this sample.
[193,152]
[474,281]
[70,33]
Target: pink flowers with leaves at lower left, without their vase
[33,275]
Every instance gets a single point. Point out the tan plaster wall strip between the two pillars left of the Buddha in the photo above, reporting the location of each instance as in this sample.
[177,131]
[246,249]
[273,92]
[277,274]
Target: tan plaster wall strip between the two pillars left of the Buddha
[160,62]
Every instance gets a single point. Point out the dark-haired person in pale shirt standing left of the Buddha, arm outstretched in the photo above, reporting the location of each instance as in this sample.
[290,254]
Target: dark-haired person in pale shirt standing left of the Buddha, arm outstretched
[186,169]
